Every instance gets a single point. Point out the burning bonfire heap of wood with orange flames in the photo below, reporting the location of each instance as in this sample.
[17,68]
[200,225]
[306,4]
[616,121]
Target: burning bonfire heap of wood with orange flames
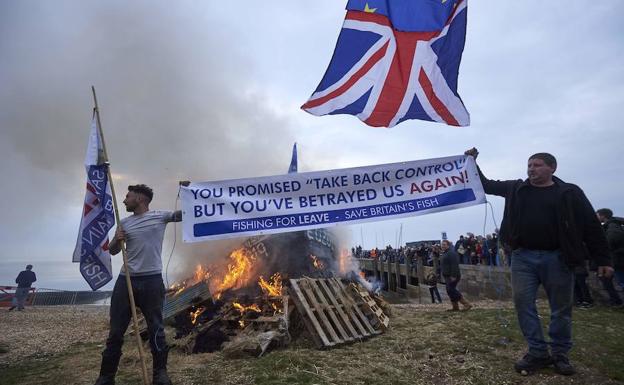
[242,316]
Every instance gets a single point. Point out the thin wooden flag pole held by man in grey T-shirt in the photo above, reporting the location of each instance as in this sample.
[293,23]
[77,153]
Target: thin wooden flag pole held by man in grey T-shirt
[123,249]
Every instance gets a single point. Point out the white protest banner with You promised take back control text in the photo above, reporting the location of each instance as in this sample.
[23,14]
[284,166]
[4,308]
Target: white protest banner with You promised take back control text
[291,202]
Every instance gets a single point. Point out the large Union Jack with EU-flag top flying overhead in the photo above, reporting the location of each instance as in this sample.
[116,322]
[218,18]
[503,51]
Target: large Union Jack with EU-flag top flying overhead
[396,60]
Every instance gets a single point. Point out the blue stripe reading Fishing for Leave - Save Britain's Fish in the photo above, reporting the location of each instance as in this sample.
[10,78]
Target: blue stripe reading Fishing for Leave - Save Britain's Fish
[332,216]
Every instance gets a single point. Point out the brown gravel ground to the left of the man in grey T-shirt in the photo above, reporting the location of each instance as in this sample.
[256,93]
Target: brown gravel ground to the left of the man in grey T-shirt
[44,330]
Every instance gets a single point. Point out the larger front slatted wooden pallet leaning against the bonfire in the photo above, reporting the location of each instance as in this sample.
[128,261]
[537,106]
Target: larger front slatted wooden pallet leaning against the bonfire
[330,314]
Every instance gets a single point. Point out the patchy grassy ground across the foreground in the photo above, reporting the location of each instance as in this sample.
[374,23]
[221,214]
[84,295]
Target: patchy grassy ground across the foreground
[425,345]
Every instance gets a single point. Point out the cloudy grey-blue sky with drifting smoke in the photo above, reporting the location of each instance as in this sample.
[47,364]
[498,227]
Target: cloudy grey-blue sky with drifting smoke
[211,90]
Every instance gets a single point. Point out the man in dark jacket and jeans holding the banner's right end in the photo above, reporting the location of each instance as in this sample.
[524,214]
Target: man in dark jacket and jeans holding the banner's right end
[550,225]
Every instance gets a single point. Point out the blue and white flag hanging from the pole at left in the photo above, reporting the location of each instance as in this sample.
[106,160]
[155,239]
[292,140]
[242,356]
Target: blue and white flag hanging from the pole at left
[97,217]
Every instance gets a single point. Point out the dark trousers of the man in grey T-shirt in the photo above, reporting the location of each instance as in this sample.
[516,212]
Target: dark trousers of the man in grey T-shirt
[149,296]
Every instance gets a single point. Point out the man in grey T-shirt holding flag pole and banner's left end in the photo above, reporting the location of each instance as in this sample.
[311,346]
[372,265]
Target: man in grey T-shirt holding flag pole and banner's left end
[143,234]
